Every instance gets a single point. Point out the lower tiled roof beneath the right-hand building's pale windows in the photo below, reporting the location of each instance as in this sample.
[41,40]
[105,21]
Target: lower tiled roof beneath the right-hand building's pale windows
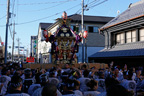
[133,49]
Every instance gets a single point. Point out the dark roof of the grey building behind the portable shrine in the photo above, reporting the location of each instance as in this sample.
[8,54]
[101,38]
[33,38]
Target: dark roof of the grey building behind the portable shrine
[103,19]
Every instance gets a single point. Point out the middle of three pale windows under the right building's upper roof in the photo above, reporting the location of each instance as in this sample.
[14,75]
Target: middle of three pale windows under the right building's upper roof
[131,36]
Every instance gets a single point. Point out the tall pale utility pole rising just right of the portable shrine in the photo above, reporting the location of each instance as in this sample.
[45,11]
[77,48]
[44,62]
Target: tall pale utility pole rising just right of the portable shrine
[82,26]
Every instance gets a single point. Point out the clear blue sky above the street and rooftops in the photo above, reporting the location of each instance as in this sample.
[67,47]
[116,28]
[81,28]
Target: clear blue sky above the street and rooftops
[30,10]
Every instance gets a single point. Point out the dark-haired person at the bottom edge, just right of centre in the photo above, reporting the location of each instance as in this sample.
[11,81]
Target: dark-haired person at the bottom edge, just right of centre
[93,85]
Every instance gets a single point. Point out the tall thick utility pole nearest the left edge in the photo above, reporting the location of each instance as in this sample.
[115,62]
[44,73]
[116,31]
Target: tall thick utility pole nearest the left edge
[7,24]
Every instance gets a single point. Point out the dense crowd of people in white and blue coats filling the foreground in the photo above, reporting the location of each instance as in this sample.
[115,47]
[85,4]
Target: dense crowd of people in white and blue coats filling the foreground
[71,81]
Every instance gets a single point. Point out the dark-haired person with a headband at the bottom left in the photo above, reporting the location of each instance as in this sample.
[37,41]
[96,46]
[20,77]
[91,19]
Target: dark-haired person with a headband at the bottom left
[15,87]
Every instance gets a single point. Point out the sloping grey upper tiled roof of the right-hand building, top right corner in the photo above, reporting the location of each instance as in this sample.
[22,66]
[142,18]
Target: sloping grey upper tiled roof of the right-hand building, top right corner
[134,10]
